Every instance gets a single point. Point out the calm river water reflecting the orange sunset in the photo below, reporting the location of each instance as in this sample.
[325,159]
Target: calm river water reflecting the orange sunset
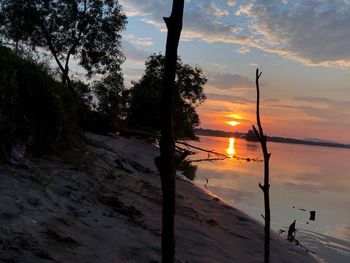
[303,178]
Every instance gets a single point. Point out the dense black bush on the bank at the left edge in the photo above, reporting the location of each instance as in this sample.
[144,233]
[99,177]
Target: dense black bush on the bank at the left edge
[32,110]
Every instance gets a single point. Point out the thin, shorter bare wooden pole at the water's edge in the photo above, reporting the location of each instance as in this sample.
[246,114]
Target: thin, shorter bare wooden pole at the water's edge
[266,187]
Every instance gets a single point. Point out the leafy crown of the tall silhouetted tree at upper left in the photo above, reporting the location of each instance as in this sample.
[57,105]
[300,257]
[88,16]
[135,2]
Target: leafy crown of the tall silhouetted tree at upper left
[88,30]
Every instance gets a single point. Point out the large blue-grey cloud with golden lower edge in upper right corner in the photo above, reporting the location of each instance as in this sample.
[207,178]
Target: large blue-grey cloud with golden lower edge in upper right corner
[312,32]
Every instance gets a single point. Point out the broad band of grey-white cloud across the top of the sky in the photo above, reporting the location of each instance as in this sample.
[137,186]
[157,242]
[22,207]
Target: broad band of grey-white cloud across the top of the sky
[314,32]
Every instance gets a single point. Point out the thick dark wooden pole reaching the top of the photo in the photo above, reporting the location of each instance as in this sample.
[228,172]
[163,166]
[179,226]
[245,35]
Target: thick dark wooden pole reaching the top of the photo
[166,162]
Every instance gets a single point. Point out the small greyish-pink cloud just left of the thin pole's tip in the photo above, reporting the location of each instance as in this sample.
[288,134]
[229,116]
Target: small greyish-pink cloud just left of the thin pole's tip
[229,81]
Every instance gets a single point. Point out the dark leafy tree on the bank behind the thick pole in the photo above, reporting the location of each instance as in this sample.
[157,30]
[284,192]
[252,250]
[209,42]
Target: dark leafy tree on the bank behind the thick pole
[145,95]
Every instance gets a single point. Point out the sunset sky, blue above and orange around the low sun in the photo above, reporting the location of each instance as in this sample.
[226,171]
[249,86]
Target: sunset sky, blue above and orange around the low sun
[301,47]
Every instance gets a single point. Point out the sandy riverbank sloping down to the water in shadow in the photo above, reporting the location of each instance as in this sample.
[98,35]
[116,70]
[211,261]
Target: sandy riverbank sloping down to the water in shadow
[101,202]
